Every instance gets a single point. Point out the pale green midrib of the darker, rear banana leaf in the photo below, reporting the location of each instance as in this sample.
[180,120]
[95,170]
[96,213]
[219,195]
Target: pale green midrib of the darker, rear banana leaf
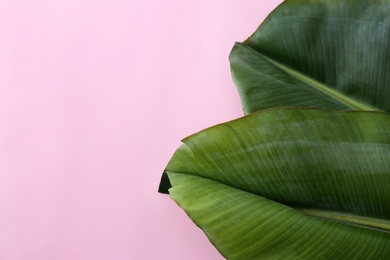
[335,94]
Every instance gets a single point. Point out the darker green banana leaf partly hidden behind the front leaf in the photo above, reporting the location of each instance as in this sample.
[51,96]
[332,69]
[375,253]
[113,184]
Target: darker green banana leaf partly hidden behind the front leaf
[317,53]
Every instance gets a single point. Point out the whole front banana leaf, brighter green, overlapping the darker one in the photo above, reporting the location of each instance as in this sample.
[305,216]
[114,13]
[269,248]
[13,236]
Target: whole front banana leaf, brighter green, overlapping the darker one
[289,184]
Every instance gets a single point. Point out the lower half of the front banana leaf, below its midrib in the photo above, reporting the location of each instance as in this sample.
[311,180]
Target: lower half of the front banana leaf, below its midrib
[245,226]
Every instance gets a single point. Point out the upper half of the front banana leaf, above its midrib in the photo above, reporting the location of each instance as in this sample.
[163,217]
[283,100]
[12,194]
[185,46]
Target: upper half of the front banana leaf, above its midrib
[298,157]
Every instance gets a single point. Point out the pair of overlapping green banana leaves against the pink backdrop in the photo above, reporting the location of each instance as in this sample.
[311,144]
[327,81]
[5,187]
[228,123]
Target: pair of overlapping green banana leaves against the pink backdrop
[305,174]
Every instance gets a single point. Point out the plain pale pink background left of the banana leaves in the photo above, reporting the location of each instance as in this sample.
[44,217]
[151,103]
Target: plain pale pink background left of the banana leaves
[94,99]
